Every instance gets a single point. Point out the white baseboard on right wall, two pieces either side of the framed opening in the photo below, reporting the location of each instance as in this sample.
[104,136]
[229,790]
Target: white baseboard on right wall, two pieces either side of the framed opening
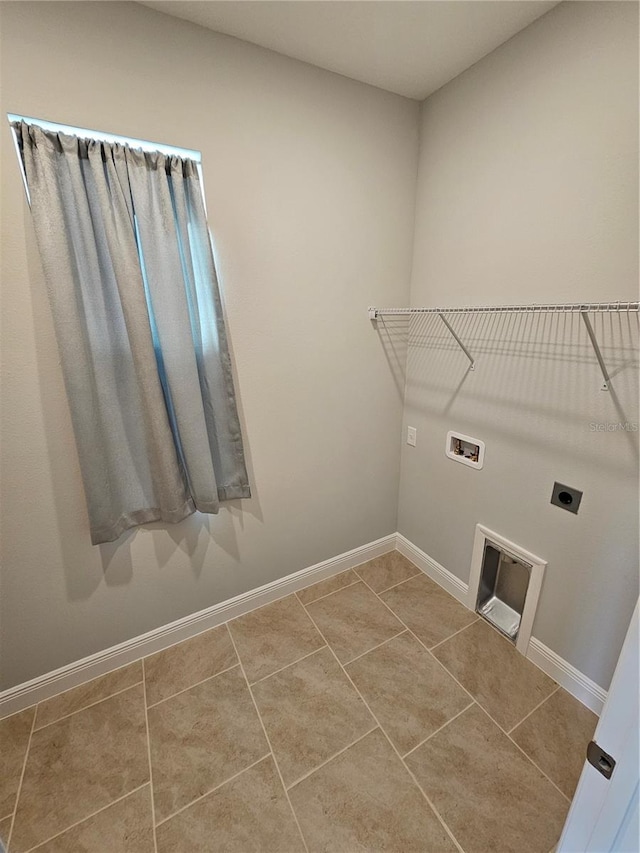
[566,675]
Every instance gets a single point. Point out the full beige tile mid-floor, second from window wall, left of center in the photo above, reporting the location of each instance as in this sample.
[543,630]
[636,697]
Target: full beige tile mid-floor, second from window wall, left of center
[310,711]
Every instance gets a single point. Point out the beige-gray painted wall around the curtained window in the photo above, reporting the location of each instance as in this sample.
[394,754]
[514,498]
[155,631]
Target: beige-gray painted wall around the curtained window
[310,181]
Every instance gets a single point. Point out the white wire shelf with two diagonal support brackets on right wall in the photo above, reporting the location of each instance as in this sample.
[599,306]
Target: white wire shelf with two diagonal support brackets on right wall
[583,308]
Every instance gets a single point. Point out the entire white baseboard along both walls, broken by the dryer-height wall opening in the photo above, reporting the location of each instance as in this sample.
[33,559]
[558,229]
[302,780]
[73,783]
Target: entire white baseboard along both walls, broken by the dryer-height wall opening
[48,685]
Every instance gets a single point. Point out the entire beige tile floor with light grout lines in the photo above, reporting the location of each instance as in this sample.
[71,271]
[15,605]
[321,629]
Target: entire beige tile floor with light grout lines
[371,711]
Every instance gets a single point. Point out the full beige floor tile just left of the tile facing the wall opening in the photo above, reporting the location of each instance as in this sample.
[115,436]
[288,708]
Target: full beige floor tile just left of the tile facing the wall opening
[408,691]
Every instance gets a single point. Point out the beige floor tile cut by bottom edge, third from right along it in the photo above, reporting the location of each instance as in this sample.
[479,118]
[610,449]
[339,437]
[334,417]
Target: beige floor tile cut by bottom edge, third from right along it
[250,814]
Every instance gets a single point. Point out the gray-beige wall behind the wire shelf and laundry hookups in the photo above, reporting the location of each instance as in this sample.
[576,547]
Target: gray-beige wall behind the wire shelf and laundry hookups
[528,192]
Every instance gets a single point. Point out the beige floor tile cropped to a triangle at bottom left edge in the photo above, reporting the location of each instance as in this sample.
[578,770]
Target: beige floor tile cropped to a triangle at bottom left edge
[124,827]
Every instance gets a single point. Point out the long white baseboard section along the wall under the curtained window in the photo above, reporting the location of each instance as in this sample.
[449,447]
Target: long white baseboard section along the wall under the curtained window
[48,685]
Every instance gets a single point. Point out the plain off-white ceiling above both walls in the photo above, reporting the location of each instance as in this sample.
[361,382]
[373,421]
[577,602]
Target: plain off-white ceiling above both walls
[410,47]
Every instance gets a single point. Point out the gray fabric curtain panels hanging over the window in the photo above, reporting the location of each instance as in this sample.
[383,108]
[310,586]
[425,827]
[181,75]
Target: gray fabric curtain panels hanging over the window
[133,290]
